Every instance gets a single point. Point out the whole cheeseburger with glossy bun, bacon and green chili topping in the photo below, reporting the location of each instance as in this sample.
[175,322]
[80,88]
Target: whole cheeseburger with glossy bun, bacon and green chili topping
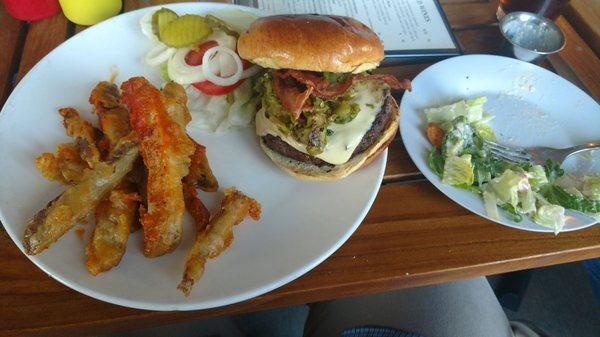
[323,115]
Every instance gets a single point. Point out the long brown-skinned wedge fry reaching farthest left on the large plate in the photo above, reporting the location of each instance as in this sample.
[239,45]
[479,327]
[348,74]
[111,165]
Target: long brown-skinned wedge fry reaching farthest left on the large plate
[79,200]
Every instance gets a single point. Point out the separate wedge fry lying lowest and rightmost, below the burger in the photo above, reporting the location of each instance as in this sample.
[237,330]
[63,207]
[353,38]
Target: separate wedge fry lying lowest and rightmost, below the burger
[218,236]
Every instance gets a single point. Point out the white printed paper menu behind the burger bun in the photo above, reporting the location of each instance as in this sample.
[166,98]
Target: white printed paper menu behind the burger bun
[402,25]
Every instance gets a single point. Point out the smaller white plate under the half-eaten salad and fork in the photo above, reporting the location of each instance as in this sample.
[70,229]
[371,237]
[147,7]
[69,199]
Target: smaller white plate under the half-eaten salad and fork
[532,107]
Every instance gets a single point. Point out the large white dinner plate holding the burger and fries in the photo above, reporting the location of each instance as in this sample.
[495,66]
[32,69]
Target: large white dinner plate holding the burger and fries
[302,222]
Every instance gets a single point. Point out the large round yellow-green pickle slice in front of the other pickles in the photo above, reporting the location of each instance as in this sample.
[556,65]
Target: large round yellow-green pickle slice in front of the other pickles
[186,30]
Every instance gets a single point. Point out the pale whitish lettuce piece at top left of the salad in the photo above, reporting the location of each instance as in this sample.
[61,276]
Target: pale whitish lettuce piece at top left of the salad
[472,109]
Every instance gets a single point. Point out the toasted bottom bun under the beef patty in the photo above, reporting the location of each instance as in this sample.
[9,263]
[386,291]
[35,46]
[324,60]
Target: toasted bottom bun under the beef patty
[307,171]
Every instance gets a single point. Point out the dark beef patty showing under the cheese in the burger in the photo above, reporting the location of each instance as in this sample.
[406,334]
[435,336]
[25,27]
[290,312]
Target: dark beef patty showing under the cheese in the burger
[383,118]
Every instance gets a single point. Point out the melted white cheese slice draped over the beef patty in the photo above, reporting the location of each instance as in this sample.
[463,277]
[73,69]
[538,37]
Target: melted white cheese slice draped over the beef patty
[346,137]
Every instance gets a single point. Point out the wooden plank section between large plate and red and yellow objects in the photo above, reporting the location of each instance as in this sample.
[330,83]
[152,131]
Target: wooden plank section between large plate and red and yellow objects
[42,37]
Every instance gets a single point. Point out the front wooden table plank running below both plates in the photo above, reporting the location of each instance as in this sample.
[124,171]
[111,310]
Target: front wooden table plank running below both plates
[412,236]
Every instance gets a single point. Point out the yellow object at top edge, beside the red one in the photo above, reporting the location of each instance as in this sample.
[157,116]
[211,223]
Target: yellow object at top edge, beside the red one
[89,12]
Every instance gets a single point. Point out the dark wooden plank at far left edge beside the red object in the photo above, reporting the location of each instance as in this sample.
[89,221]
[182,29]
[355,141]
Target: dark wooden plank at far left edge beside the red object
[11,40]
